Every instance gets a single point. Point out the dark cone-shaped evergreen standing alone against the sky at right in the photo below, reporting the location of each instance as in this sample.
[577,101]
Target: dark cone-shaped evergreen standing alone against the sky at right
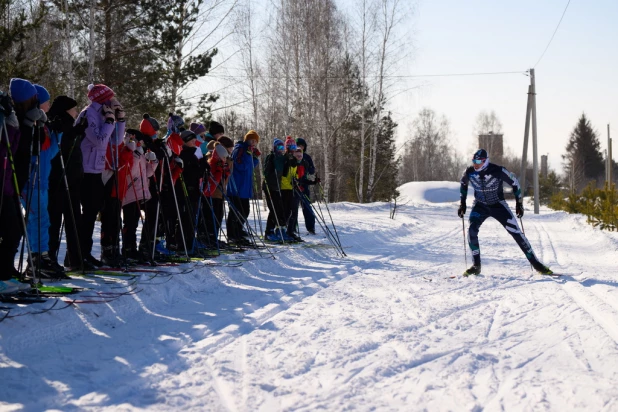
[583,161]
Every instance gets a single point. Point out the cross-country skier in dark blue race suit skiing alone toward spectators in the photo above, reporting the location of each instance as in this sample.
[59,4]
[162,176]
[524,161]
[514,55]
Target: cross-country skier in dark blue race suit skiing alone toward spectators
[487,179]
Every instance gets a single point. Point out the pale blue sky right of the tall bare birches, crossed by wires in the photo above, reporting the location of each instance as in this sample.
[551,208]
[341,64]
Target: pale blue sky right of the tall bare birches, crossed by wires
[579,72]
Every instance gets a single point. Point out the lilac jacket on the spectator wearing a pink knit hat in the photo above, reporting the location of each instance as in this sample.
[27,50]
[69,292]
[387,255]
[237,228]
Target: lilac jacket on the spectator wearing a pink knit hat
[97,137]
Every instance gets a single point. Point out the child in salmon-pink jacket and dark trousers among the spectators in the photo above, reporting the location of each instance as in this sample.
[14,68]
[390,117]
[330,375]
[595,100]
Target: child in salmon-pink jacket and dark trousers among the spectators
[136,174]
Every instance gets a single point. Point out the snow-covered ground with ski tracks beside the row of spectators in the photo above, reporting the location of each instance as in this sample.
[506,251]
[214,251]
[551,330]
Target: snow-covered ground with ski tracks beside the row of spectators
[383,329]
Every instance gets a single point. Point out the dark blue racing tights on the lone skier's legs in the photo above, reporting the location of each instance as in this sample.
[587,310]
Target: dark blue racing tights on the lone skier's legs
[503,214]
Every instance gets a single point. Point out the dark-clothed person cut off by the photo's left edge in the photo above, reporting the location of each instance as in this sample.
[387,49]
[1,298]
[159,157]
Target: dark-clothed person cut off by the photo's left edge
[10,228]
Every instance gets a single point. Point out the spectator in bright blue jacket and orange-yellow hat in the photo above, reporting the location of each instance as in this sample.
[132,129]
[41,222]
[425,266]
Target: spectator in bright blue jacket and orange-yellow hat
[240,187]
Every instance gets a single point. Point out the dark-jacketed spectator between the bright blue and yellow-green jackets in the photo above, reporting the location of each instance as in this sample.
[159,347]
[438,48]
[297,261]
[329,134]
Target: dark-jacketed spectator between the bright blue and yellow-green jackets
[274,168]
